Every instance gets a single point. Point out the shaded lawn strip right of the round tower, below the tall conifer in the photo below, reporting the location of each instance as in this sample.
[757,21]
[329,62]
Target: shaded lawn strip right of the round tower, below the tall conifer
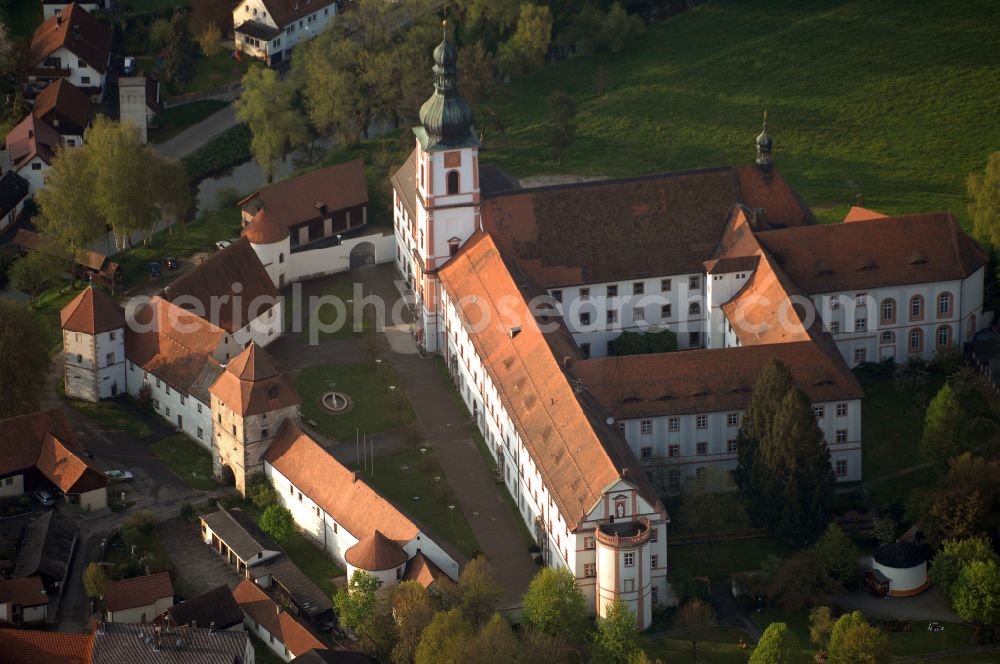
[719,560]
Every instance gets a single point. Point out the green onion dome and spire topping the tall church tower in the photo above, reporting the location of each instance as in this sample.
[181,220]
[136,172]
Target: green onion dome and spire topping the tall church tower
[445,118]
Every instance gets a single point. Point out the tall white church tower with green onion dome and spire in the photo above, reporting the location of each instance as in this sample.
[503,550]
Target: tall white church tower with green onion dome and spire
[446,165]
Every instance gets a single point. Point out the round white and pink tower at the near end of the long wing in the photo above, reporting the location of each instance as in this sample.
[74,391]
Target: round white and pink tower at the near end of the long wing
[623,567]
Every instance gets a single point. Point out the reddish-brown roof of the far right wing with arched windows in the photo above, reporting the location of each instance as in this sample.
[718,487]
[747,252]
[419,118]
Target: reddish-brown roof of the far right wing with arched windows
[912,249]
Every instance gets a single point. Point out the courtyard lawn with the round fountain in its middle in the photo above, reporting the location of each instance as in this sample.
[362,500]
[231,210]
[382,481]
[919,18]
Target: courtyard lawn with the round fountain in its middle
[374,410]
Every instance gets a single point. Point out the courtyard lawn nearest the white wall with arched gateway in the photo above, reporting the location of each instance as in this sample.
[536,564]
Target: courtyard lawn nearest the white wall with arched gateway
[337,316]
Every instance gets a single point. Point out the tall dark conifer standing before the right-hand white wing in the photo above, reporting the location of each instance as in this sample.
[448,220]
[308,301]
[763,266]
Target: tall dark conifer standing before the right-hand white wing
[796,462]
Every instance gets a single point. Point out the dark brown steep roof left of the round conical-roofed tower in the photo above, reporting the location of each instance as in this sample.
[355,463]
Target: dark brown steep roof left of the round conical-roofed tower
[232,286]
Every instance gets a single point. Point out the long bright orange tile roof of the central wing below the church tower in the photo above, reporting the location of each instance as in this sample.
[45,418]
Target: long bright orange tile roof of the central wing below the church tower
[578,456]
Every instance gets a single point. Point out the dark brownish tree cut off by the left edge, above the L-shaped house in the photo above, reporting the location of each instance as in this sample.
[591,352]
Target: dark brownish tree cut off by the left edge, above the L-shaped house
[24,359]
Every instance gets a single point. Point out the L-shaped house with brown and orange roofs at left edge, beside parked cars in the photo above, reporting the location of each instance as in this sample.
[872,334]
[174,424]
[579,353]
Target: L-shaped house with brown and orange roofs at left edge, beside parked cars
[39,451]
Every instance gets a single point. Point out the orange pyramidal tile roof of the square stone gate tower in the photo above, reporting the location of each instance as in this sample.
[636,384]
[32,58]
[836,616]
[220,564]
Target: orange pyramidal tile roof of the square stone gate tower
[253,384]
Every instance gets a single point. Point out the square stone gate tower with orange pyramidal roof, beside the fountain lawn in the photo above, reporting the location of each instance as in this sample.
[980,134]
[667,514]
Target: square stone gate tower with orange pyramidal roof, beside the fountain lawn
[250,400]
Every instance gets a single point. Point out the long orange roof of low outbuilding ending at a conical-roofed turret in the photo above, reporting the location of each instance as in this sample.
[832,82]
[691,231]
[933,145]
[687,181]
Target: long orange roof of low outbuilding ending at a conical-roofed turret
[352,503]
